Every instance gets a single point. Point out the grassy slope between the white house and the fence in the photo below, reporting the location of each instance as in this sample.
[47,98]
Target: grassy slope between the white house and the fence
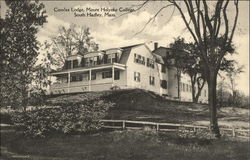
[136,104]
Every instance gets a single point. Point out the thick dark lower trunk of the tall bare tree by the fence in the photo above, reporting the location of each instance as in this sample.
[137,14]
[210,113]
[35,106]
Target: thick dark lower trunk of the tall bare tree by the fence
[212,80]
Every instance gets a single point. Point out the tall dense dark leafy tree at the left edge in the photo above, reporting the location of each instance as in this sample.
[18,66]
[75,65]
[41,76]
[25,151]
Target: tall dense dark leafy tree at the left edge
[19,49]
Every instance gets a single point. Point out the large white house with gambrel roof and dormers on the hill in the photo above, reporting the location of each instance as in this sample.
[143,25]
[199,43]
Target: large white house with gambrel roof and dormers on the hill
[134,66]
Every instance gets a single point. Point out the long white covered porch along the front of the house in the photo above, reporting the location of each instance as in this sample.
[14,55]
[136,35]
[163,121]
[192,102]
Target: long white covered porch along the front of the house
[96,78]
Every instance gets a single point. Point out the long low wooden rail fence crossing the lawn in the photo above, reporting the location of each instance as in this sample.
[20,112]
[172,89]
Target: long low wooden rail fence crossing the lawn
[128,124]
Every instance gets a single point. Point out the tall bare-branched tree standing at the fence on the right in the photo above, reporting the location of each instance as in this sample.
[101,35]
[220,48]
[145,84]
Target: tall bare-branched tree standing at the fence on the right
[212,31]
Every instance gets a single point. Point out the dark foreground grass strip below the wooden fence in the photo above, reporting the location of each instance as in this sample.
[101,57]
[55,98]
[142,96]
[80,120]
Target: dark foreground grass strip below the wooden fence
[122,145]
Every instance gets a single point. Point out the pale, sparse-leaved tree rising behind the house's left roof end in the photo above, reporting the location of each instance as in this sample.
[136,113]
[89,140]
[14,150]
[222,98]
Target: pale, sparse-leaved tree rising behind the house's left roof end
[69,41]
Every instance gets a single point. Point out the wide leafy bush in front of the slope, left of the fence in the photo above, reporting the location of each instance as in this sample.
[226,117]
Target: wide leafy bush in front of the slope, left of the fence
[81,117]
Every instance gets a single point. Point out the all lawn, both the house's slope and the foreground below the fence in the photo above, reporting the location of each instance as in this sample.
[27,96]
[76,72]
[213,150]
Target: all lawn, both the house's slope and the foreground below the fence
[137,145]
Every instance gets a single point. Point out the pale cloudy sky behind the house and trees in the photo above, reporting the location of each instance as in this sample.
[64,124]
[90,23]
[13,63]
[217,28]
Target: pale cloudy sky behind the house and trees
[116,31]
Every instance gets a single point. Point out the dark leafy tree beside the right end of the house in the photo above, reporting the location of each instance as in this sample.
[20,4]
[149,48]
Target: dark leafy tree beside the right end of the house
[187,61]
